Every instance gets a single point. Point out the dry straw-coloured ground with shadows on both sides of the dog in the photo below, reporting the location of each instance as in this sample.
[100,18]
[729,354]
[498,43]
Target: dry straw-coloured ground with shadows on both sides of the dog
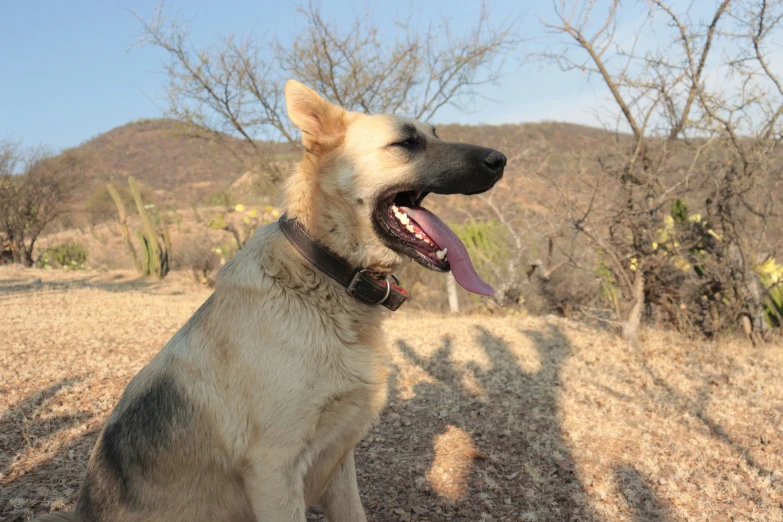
[490,418]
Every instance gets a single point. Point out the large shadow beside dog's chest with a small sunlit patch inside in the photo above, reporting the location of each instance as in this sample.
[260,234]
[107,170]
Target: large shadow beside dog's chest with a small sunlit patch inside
[473,443]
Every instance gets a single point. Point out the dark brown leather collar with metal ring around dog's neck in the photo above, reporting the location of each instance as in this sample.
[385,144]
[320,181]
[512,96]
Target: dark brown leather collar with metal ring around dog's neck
[363,283]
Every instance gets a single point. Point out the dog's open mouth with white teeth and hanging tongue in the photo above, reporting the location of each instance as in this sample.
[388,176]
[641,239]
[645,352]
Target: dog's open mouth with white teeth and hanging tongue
[416,232]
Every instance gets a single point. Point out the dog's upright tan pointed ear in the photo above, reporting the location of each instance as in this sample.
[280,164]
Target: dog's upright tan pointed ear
[322,124]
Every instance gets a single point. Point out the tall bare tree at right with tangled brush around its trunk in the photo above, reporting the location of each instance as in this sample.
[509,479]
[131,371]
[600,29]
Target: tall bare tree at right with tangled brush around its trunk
[681,207]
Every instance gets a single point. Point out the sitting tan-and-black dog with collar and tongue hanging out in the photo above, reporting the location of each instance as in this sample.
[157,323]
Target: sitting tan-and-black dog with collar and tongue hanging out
[252,410]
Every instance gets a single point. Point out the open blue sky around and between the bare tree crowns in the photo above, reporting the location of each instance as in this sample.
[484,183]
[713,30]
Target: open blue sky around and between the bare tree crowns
[70,69]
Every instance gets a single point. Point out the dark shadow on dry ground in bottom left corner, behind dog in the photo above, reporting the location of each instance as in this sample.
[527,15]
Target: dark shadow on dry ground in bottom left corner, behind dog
[47,476]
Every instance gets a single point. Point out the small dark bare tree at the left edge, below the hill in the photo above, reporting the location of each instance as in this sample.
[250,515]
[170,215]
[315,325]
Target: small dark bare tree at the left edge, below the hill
[32,200]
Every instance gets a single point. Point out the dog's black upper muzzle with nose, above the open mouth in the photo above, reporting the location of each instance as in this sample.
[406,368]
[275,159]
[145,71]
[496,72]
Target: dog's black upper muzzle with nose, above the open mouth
[458,168]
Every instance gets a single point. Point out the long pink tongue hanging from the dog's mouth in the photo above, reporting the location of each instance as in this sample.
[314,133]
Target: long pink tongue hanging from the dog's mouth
[457,256]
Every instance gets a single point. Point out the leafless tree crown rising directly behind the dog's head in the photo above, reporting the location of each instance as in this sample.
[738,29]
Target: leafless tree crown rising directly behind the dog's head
[236,86]
